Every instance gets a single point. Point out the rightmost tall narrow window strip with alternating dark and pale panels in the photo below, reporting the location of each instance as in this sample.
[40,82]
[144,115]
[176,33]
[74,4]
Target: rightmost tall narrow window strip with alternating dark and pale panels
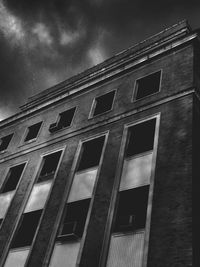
[131,210]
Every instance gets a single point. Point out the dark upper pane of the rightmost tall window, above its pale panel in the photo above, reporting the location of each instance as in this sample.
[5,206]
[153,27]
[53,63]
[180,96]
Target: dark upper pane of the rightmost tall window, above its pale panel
[140,138]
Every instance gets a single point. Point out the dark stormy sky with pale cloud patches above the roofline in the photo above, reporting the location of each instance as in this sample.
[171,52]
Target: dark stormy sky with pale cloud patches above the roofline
[44,42]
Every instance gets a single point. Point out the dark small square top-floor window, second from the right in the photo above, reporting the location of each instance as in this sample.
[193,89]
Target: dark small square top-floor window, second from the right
[103,103]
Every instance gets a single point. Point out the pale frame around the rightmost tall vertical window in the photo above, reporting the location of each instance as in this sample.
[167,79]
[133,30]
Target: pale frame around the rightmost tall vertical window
[115,193]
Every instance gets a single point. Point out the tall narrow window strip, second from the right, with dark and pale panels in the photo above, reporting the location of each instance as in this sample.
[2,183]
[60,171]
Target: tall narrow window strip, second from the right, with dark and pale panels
[76,209]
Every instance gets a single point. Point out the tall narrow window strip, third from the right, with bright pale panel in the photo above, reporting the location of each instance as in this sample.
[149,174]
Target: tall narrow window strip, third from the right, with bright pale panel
[29,221]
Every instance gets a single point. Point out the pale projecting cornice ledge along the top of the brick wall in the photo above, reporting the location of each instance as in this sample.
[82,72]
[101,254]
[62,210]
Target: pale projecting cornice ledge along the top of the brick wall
[121,66]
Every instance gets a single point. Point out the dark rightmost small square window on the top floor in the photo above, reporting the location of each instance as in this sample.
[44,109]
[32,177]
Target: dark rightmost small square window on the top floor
[147,85]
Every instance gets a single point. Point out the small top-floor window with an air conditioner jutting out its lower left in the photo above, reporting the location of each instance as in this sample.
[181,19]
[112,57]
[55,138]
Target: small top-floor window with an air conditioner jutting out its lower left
[64,120]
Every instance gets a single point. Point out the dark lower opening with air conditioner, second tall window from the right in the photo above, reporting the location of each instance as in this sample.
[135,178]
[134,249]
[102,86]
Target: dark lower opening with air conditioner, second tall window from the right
[74,220]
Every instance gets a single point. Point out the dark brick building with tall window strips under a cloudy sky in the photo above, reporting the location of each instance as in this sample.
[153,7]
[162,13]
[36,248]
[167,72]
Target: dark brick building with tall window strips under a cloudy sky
[97,171]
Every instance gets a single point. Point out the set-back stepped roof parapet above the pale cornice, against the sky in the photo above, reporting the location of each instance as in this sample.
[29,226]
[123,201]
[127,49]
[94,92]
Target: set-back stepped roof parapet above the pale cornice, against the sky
[174,32]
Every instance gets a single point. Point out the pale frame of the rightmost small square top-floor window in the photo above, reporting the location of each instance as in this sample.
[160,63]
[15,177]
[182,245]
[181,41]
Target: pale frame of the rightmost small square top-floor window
[135,87]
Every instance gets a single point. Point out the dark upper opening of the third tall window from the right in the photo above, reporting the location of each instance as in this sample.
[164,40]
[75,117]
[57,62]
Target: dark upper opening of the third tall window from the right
[49,166]
